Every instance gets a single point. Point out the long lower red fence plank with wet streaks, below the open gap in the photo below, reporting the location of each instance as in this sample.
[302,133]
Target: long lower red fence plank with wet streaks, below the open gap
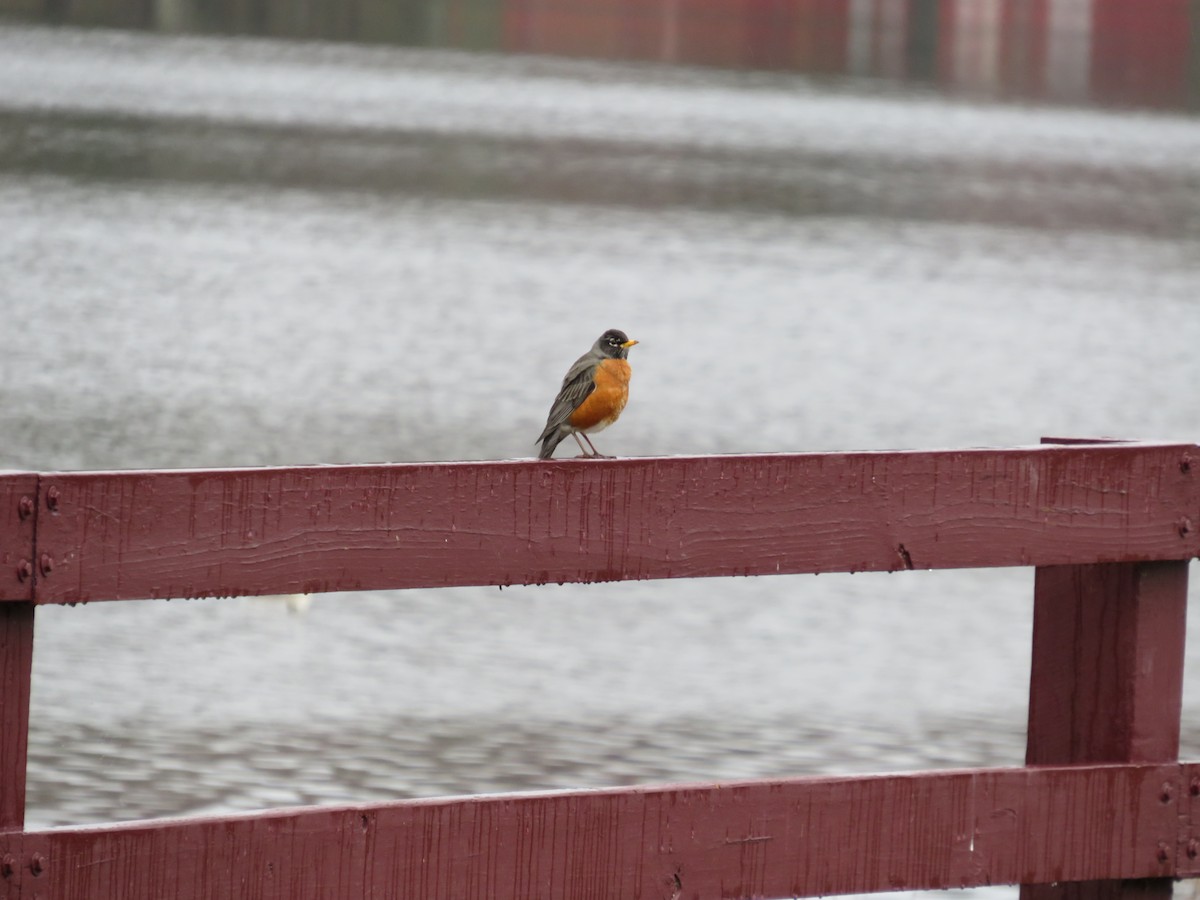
[803,837]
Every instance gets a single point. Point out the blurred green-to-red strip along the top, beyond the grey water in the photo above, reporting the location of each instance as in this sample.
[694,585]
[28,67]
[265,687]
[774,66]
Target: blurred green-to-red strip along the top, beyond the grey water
[1126,52]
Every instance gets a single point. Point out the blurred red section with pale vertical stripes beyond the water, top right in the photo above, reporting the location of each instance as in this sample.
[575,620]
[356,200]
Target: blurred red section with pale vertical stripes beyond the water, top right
[1143,52]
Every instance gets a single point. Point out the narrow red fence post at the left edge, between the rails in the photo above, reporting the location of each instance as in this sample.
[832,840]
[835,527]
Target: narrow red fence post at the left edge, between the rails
[16,665]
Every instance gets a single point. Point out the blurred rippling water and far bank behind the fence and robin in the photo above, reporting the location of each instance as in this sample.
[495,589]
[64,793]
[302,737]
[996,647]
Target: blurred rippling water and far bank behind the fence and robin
[255,233]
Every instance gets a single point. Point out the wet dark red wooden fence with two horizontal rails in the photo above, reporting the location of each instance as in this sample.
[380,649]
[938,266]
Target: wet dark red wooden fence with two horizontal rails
[1105,807]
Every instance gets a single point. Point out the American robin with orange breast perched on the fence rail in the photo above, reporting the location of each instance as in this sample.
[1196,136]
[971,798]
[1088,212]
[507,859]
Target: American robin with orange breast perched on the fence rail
[593,394]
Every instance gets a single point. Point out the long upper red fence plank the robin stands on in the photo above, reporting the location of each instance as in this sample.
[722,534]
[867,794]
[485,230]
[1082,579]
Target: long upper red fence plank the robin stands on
[153,535]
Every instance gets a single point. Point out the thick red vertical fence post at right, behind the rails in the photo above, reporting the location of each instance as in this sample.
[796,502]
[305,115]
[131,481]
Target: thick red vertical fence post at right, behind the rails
[1107,682]
